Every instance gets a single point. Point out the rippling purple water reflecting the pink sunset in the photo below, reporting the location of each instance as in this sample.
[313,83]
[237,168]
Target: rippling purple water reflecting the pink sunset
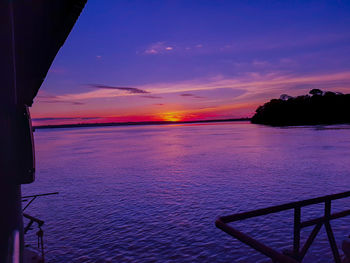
[152,193]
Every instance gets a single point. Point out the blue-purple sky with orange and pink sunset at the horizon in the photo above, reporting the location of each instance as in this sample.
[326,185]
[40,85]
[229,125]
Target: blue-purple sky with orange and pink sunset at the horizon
[175,60]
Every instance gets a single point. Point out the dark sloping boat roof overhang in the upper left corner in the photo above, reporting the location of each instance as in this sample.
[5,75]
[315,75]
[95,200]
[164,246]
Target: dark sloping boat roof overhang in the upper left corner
[35,30]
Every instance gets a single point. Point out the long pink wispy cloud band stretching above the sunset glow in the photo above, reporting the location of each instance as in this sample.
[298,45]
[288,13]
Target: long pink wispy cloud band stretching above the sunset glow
[251,86]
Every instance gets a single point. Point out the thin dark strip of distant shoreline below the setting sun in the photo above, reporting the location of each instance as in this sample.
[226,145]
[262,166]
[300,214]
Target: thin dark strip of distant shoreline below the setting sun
[108,124]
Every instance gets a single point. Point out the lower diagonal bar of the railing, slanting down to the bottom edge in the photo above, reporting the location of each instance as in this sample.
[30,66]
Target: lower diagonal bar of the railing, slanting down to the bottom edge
[267,251]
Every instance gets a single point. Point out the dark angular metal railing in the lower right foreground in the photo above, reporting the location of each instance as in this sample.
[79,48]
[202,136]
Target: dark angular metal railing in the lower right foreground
[298,253]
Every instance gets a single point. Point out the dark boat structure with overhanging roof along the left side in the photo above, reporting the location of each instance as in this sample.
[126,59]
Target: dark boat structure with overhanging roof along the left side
[32,32]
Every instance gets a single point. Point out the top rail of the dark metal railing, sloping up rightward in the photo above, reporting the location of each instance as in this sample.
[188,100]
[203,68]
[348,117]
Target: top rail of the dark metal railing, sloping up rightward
[283,207]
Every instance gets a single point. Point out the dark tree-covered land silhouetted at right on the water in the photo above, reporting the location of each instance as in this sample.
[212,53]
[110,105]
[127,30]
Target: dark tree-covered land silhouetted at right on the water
[317,107]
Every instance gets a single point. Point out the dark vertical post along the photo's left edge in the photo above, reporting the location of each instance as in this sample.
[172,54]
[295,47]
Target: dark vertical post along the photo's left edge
[11,224]
